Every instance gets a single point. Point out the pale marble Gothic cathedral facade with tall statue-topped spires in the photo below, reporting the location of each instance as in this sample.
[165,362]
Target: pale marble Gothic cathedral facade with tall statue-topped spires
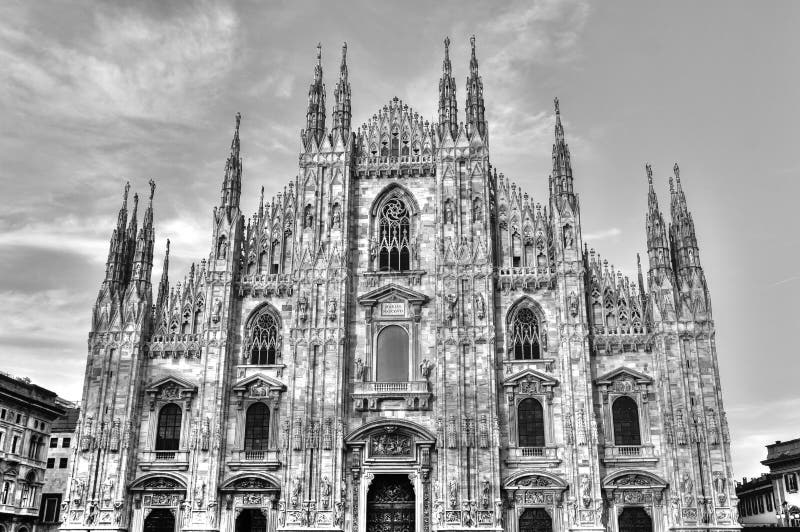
[403,340]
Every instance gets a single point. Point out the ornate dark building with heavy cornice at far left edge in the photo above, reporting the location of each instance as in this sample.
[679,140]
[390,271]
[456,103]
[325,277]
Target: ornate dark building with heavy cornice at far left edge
[27,412]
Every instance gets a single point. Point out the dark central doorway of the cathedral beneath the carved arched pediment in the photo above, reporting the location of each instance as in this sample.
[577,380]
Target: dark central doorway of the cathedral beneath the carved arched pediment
[390,504]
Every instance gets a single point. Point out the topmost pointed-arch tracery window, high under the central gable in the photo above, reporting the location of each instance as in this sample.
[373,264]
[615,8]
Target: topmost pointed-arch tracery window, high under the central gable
[394,253]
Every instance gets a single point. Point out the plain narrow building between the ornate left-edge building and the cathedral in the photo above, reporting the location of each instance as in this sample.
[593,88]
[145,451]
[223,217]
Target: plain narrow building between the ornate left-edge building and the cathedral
[60,453]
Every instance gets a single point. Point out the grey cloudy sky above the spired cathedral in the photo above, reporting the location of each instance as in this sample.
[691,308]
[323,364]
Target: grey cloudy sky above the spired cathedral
[94,94]
